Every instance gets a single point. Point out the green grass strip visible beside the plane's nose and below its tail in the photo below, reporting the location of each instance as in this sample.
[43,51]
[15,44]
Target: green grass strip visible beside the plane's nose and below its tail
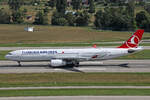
[145,54]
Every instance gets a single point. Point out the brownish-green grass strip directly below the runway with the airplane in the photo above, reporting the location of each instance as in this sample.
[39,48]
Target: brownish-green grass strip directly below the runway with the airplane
[74,79]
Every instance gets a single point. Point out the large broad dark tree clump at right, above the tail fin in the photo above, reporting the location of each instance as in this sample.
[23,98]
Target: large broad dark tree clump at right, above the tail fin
[114,19]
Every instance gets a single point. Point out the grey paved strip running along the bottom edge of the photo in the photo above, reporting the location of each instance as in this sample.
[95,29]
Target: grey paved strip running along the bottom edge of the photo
[78,98]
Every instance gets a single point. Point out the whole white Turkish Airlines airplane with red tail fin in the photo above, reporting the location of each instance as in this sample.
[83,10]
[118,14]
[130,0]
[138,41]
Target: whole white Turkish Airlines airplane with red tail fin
[65,57]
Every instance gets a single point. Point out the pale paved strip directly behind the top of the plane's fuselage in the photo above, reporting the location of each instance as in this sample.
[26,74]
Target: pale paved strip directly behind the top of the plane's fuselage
[21,48]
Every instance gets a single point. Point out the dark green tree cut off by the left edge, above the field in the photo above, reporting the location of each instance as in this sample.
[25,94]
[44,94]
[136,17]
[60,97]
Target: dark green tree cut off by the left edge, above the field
[4,17]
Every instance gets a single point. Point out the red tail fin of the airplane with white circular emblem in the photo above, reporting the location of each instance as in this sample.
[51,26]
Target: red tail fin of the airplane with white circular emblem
[134,40]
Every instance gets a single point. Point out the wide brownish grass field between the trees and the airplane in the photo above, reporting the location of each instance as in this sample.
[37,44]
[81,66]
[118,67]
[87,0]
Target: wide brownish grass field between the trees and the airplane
[57,34]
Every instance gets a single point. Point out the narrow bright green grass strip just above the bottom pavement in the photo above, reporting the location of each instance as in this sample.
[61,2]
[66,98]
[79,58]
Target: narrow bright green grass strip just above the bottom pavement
[75,92]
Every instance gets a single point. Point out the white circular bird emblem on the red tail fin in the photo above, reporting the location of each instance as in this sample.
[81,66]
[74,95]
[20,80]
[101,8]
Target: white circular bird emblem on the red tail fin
[133,42]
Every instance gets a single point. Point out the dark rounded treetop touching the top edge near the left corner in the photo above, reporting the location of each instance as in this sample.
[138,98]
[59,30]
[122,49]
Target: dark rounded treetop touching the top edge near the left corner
[15,4]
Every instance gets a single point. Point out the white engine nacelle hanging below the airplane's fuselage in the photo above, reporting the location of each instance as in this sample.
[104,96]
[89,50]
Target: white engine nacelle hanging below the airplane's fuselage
[58,62]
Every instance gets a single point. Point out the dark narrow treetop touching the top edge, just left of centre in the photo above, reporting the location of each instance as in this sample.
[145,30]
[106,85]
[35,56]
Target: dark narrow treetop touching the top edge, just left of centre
[61,6]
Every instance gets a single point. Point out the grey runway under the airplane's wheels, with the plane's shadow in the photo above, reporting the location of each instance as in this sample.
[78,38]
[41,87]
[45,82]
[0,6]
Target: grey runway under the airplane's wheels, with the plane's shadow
[96,66]
